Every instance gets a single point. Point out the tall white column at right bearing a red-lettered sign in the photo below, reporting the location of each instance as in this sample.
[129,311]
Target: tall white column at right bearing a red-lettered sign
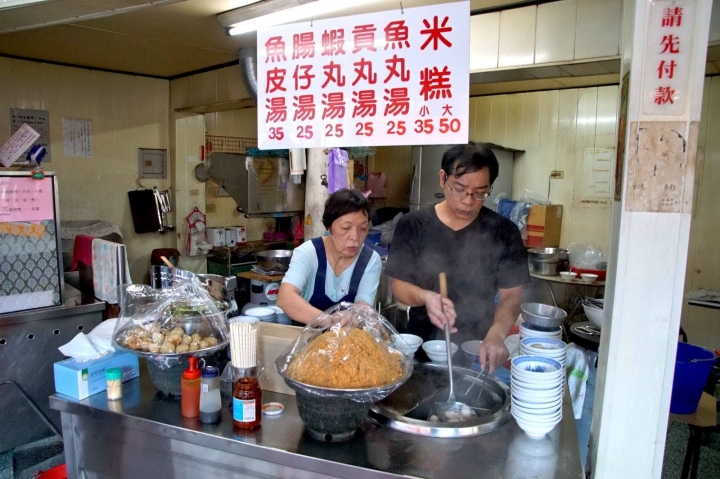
[663,49]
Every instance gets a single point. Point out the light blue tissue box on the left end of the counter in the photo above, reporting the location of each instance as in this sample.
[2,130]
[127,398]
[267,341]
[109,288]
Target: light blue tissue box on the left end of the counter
[82,379]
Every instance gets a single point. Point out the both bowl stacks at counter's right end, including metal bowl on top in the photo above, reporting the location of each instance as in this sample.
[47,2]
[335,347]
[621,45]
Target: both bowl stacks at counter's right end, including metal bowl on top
[537,382]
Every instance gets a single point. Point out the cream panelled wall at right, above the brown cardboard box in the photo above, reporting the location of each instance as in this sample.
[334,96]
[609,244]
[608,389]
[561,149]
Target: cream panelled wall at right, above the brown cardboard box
[554,128]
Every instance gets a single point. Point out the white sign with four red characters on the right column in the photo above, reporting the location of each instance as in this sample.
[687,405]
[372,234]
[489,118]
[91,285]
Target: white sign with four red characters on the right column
[668,52]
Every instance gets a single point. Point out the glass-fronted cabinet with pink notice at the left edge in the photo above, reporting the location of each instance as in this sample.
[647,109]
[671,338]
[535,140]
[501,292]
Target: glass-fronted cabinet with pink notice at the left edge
[31,270]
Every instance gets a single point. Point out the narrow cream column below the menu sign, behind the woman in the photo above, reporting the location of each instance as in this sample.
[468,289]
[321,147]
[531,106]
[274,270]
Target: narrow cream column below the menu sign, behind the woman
[315,192]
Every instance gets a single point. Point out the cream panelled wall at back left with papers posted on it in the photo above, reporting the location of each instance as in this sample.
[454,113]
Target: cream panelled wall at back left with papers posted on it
[127,113]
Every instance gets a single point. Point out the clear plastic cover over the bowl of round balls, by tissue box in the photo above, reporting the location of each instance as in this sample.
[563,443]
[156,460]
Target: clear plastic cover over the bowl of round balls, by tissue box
[168,325]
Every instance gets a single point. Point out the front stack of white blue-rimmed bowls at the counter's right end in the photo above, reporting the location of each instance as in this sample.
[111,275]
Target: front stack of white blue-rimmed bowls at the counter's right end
[537,385]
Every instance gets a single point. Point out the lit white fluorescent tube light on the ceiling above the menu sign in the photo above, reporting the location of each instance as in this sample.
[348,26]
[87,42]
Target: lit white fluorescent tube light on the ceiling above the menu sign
[293,14]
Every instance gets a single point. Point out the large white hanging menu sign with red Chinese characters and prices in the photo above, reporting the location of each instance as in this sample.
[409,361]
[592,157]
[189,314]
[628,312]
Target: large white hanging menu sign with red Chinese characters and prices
[387,78]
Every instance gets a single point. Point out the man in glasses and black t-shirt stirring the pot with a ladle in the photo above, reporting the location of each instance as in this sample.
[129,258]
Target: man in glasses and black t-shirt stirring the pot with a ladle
[480,251]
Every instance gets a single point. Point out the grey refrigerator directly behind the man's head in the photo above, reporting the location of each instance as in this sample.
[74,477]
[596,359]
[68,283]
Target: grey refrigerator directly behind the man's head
[427,163]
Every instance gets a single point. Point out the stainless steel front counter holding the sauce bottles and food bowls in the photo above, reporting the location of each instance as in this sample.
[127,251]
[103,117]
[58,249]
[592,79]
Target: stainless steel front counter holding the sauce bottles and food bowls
[146,436]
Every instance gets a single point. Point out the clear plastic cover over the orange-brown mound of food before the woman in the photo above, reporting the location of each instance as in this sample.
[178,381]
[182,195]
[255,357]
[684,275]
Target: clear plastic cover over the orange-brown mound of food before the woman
[351,352]
